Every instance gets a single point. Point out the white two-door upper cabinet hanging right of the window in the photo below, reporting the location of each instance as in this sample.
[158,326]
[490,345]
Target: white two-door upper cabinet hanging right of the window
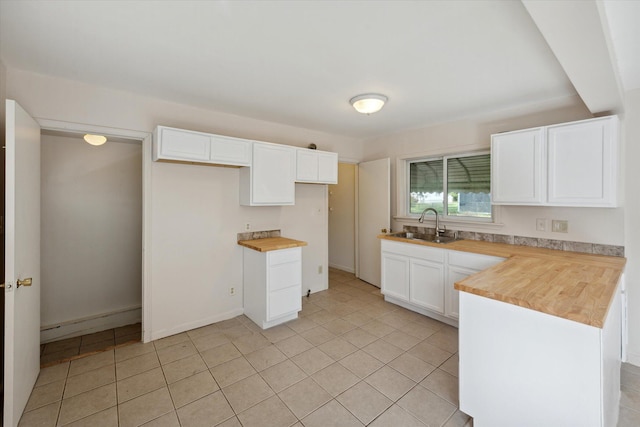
[570,164]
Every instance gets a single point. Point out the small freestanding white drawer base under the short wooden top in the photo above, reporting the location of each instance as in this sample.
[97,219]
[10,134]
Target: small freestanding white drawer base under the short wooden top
[272,285]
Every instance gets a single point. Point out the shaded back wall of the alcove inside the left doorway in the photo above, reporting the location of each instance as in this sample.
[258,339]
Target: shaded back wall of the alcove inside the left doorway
[91,214]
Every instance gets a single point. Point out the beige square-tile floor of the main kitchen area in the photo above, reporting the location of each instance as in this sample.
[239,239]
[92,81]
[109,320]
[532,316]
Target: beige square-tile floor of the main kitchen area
[349,360]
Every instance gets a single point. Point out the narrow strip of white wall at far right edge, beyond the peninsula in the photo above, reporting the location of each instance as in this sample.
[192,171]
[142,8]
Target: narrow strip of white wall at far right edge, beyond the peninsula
[632,215]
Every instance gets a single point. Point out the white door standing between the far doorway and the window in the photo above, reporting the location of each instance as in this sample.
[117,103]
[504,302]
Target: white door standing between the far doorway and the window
[374,216]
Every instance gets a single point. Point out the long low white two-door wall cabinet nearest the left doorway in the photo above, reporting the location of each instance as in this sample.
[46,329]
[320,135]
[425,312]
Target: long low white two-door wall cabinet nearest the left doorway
[190,146]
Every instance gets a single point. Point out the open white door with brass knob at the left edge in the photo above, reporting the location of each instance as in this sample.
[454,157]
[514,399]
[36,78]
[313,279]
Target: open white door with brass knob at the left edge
[22,242]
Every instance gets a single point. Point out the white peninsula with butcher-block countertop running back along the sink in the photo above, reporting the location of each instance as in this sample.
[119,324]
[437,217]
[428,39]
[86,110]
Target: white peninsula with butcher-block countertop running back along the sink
[539,336]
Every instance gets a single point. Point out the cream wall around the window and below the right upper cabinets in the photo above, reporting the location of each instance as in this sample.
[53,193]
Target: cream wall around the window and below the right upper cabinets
[605,226]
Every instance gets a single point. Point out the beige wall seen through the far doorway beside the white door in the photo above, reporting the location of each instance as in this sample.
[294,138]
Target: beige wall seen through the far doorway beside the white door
[342,215]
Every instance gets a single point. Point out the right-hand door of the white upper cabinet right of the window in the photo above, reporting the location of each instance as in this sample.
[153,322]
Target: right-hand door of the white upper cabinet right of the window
[582,163]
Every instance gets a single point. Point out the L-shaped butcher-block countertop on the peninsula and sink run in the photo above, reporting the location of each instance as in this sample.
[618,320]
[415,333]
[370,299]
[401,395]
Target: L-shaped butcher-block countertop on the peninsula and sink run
[571,285]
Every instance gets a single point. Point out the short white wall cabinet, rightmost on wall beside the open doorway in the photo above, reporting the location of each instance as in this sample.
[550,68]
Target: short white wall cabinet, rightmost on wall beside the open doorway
[318,167]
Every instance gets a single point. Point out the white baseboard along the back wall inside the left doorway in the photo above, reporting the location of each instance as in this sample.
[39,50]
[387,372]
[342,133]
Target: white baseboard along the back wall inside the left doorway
[89,325]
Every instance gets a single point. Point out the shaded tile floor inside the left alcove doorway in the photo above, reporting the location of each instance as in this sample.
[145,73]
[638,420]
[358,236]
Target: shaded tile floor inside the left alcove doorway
[72,348]
